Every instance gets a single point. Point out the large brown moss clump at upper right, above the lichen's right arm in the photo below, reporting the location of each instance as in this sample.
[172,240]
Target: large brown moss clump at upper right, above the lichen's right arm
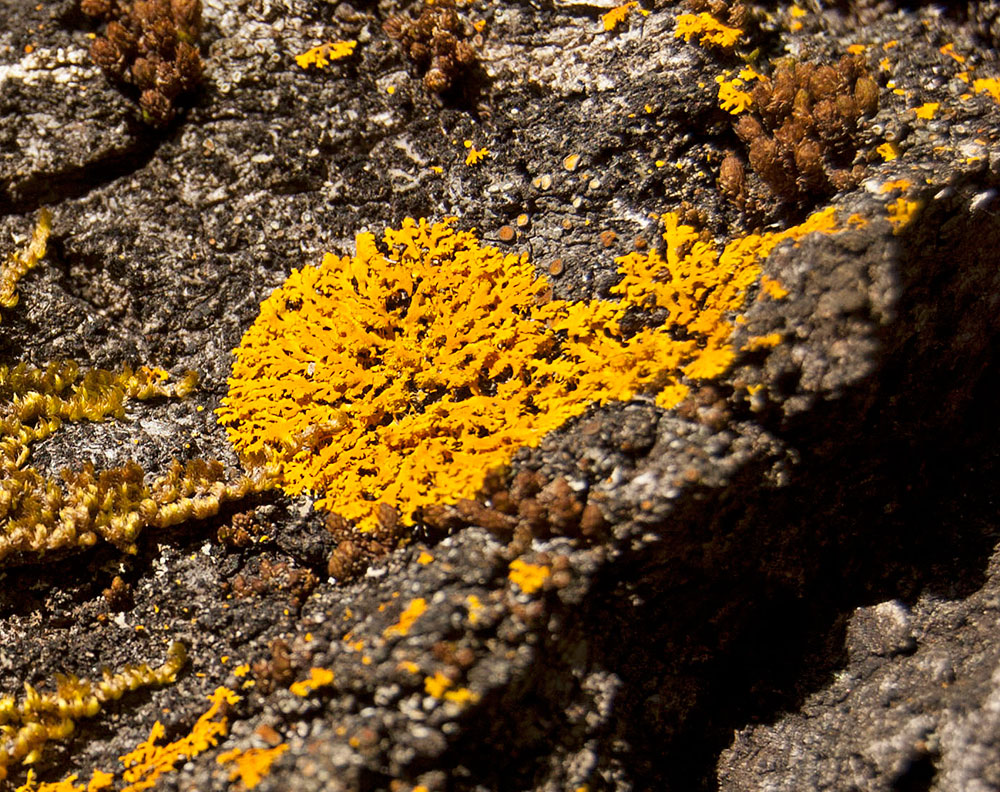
[801,133]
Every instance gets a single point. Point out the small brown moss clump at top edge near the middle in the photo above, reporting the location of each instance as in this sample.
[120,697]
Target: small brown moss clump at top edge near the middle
[439,41]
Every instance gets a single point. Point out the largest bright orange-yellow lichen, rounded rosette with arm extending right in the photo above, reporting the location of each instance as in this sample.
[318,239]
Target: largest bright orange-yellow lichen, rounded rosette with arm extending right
[401,375]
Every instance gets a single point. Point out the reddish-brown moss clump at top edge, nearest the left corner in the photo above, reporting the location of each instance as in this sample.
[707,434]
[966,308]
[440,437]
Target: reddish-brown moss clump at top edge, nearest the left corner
[150,45]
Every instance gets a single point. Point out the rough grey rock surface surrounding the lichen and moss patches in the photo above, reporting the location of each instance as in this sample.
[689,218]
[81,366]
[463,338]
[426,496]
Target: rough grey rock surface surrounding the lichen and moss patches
[802,554]
